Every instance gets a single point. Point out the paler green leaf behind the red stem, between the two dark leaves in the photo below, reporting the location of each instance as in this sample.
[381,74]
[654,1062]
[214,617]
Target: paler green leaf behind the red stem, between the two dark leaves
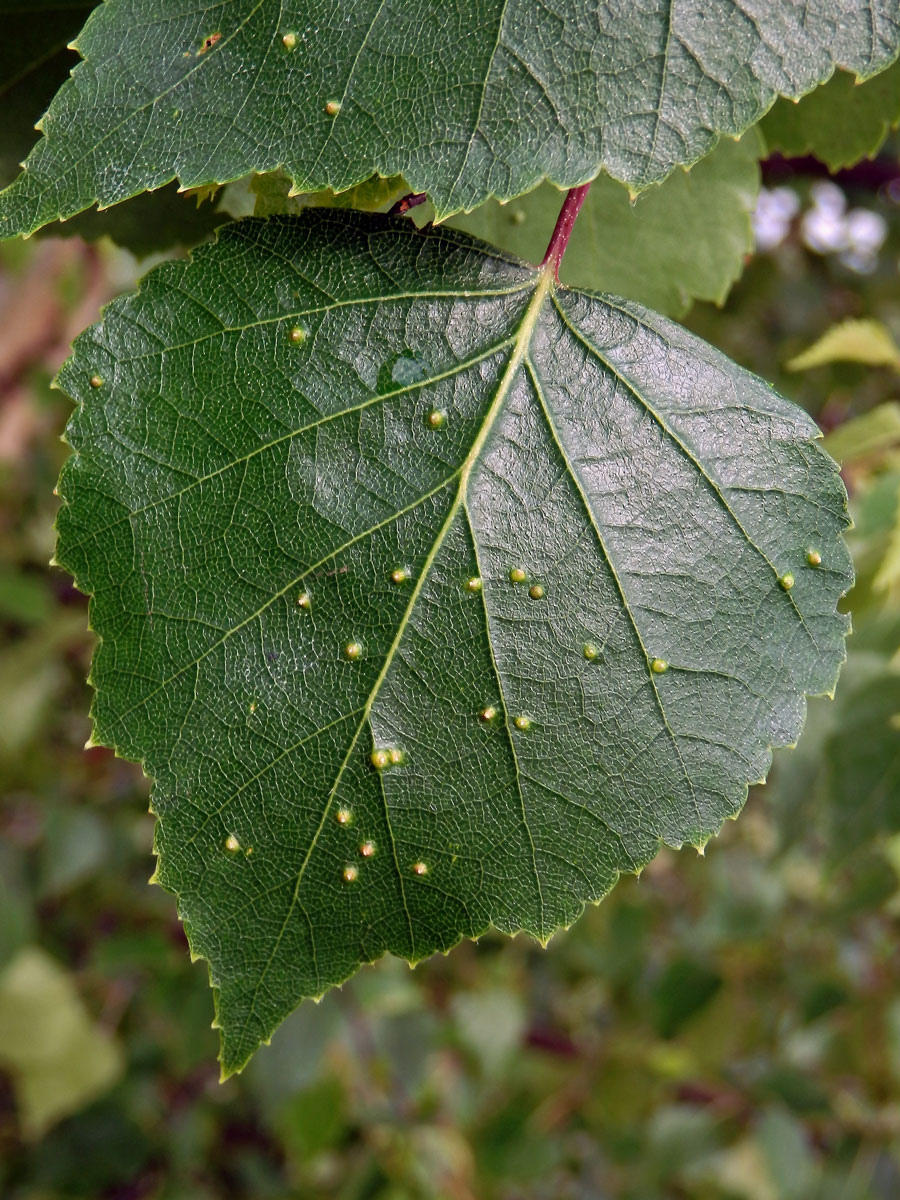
[683,241]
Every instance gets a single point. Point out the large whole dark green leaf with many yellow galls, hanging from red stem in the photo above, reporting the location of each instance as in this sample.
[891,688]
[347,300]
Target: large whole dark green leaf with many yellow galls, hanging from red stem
[343,488]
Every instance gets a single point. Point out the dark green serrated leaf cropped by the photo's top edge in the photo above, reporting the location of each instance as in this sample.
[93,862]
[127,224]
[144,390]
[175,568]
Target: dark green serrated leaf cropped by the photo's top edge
[466,100]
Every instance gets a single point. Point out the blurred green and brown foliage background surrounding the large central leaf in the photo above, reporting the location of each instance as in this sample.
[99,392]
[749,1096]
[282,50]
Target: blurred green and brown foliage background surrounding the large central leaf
[725,1029]
